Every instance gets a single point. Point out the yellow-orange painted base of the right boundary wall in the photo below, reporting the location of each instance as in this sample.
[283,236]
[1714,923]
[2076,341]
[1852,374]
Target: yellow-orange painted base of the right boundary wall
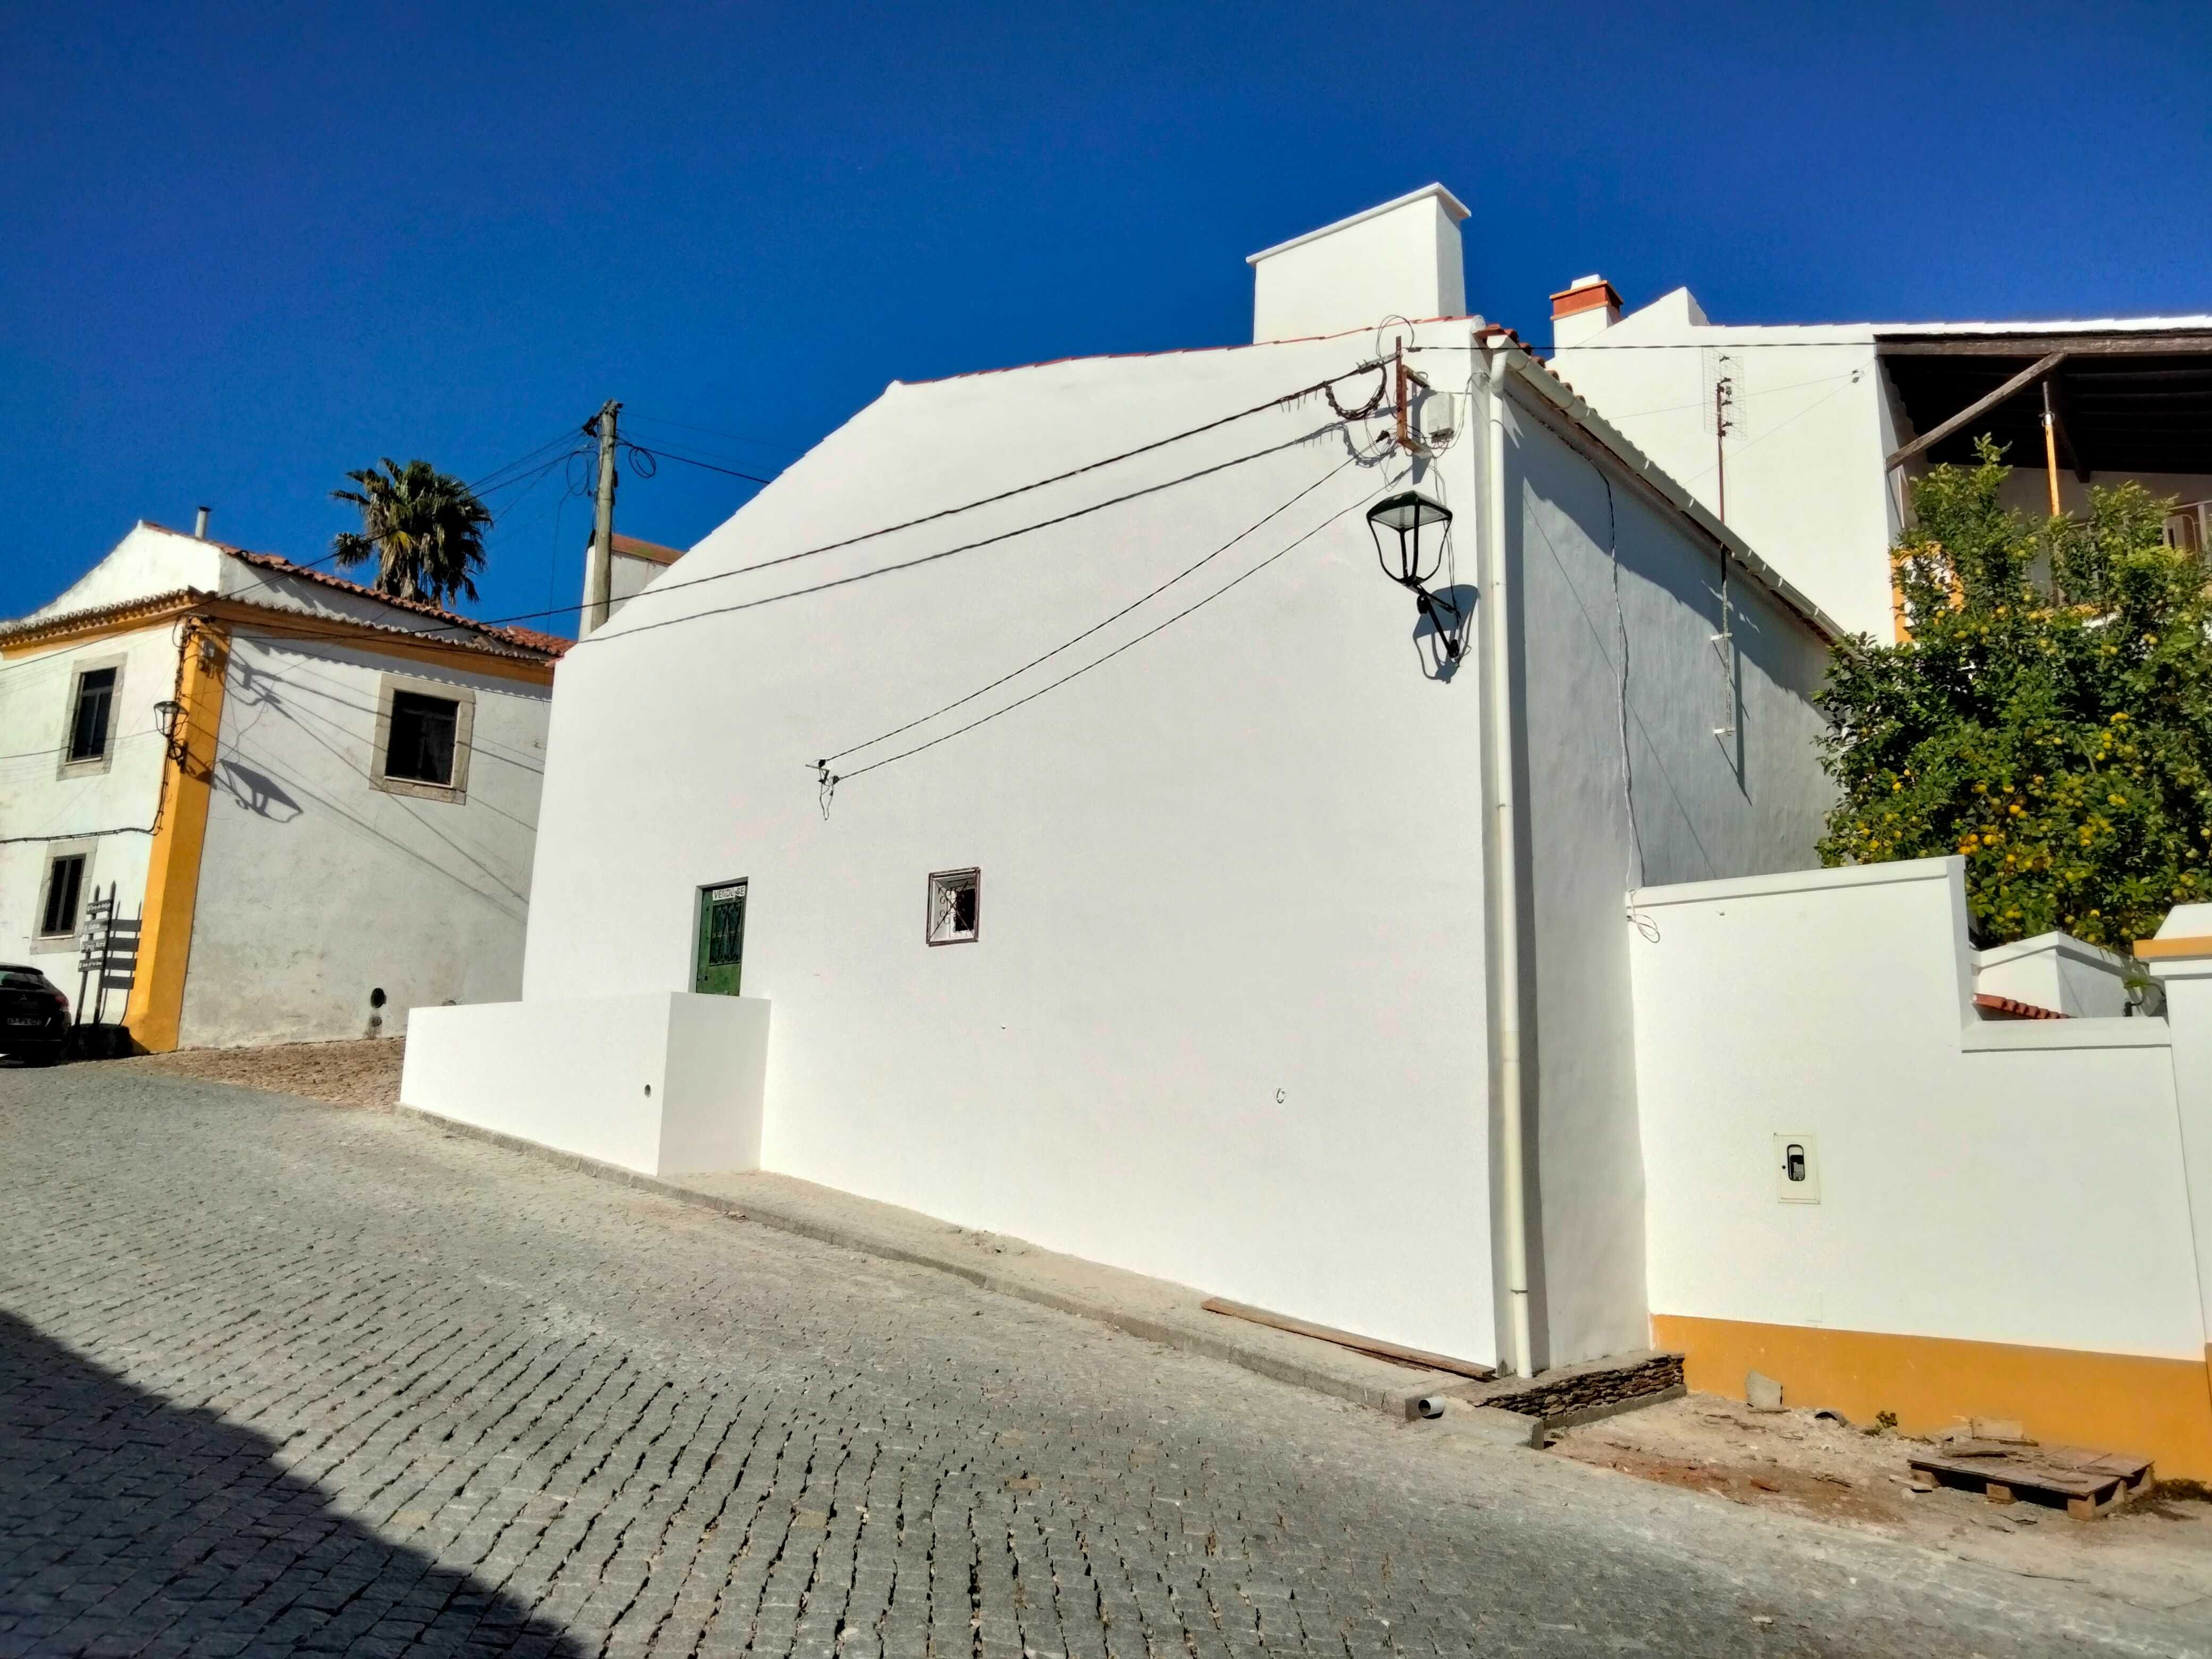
[2153,1408]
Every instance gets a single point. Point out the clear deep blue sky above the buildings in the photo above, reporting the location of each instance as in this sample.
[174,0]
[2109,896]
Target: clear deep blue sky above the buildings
[255,247]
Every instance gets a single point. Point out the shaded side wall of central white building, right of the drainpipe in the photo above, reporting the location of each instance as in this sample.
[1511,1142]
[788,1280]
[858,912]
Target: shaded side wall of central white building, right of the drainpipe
[1704,806]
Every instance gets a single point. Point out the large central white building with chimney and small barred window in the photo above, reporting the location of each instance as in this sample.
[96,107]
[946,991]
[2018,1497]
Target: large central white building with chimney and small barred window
[1041,811]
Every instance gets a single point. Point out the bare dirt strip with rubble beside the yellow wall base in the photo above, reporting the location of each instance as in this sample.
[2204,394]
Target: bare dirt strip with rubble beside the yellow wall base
[2156,1554]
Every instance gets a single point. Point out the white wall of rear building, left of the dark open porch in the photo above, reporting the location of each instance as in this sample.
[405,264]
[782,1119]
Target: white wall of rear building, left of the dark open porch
[1806,452]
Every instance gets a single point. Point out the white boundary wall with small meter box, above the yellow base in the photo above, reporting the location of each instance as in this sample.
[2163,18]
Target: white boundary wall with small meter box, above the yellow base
[2005,1182]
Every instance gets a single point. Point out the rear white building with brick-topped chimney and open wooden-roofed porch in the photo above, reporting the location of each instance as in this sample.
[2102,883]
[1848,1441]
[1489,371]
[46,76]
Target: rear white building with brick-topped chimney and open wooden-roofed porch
[1804,437]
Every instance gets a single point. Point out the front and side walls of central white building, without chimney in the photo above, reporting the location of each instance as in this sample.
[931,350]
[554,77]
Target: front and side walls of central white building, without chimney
[1227,1021]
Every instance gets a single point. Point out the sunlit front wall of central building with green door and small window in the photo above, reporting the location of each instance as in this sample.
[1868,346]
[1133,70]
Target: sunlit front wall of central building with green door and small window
[1224,1023]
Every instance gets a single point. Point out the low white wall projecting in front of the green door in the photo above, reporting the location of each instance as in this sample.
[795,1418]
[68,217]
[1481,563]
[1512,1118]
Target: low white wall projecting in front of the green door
[658,1083]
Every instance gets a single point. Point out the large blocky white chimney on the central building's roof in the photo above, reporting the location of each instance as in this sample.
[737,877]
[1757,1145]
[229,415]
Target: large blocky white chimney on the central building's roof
[1399,260]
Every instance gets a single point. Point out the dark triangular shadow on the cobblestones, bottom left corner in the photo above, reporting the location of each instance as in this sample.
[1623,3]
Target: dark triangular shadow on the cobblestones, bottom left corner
[198,1534]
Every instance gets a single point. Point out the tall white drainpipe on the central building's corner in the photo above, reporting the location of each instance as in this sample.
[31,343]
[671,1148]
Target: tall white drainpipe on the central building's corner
[1505,879]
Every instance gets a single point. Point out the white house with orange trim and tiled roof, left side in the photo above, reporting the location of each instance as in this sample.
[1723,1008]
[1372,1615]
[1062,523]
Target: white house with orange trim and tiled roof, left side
[309,806]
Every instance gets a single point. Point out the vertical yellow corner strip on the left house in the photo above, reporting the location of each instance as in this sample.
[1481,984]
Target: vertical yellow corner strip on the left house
[156,1008]
